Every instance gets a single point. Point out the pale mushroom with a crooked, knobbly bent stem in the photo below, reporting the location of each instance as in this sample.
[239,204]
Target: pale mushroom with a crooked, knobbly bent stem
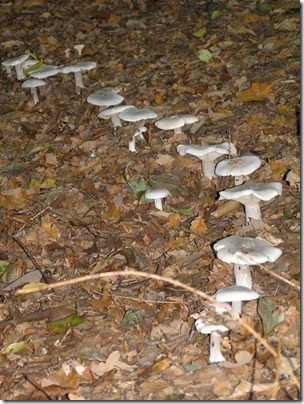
[137,115]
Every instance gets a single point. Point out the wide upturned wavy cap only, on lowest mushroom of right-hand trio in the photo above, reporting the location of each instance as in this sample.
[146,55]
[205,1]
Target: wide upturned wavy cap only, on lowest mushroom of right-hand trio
[251,192]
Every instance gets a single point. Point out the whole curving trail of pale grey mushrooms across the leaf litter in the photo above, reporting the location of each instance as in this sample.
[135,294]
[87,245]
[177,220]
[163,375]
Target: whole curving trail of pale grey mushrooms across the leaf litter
[242,252]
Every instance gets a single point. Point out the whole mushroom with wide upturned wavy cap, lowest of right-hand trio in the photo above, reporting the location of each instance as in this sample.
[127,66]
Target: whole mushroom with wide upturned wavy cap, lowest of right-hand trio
[250,194]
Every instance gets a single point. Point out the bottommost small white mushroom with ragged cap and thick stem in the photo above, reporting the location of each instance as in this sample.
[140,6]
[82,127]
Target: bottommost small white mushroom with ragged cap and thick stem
[215,354]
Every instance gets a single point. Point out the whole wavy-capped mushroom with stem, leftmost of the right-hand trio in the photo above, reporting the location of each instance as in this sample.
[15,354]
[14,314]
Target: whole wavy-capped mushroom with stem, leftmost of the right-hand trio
[207,155]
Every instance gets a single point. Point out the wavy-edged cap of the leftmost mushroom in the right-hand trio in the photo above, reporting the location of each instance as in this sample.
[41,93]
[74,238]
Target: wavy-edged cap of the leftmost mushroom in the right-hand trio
[209,153]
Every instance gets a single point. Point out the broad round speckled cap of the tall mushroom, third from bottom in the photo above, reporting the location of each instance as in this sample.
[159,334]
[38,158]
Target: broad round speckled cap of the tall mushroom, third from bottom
[246,250]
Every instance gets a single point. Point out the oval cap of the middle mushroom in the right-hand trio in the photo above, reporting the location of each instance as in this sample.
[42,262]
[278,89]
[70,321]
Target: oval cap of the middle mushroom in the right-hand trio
[244,165]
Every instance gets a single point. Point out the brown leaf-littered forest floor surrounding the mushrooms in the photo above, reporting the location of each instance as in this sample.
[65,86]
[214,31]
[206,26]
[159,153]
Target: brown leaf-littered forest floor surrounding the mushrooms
[71,201]
